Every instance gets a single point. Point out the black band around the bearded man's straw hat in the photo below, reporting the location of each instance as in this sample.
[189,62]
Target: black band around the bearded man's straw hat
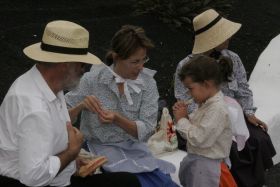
[64,50]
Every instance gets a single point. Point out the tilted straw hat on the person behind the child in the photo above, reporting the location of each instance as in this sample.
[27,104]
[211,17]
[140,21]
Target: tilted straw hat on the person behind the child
[211,30]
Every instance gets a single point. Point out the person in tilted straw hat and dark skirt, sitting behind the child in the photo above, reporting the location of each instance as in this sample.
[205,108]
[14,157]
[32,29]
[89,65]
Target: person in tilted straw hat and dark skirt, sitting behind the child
[212,34]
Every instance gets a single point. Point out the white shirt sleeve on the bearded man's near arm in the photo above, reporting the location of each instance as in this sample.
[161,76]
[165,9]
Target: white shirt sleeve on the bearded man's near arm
[37,166]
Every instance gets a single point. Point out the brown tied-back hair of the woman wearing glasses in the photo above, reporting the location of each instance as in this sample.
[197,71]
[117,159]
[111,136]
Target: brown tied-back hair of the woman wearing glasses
[126,41]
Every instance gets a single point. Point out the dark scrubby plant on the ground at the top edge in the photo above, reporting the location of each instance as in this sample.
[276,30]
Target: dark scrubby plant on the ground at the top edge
[180,12]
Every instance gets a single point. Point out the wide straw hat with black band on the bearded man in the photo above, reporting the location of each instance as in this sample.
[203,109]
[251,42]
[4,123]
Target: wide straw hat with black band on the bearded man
[63,41]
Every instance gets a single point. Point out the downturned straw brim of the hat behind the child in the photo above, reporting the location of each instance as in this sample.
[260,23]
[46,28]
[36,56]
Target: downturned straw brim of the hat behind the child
[215,36]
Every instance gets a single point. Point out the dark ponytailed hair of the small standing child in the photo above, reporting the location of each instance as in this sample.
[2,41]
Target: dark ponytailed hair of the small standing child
[201,68]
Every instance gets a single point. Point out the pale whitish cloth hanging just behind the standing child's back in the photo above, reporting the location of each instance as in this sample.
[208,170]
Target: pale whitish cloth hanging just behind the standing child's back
[239,128]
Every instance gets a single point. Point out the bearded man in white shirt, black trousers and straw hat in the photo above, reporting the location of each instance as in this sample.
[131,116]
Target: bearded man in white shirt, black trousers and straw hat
[38,144]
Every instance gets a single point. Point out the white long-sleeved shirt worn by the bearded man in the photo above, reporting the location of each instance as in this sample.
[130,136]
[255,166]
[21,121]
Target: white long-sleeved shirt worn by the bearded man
[33,130]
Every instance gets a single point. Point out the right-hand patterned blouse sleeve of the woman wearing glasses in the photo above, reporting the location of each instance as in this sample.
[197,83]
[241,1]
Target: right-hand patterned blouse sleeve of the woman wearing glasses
[148,112]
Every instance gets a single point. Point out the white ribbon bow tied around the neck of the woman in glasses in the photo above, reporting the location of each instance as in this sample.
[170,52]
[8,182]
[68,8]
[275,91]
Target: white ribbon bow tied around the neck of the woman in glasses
[131,83]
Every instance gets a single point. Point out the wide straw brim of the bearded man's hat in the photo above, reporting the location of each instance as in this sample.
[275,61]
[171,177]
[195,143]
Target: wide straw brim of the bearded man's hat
[36,53]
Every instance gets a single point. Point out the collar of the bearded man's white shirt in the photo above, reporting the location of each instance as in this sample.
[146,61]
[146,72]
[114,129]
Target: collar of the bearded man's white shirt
[43,86]
